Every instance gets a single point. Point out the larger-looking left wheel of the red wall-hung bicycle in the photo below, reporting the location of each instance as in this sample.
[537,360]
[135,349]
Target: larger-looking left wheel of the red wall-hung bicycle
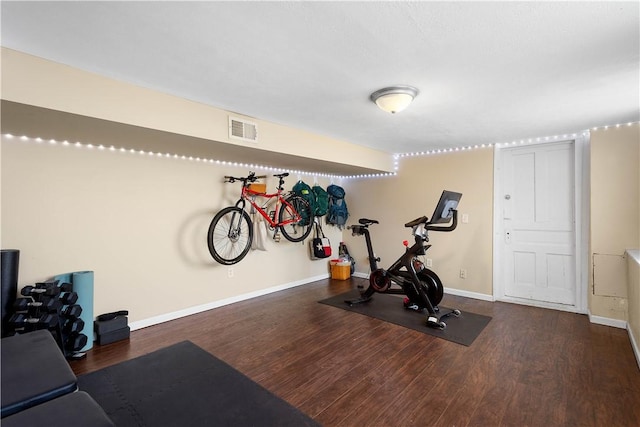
[230,235]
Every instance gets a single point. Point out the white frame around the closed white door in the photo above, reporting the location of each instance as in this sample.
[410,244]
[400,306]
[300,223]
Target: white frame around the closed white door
[581,225]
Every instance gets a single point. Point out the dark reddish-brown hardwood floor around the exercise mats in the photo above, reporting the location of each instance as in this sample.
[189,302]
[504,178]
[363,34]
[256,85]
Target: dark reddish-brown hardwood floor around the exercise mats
[529,367]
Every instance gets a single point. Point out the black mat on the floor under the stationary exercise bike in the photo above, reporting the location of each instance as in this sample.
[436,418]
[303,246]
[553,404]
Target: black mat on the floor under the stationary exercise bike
[462,330]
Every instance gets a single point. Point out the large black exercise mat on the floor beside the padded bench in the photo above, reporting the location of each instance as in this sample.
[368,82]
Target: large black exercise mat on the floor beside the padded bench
[183,385]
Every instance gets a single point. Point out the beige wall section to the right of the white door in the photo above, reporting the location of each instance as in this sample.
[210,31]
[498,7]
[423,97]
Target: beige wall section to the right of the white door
[615,216]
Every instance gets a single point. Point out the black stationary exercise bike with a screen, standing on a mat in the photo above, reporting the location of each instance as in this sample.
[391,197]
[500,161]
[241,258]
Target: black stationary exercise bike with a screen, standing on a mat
[422,287]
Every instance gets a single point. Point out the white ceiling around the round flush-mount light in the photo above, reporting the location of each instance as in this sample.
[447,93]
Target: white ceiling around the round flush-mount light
[488,72]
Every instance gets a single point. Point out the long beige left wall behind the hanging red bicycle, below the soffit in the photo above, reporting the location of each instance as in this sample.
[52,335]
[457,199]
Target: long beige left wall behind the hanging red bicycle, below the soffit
[139,222]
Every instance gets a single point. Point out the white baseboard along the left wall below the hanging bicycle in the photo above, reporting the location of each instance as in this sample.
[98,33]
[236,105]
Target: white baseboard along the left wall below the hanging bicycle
[215,304]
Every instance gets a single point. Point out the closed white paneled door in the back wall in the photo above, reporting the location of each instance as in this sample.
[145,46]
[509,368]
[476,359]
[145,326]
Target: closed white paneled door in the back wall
[538,253]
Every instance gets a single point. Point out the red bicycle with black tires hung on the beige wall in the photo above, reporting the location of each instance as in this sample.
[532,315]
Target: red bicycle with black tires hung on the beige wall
[231,230]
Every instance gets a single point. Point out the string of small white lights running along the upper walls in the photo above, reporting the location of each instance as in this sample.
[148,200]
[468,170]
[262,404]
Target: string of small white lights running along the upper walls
[396,157]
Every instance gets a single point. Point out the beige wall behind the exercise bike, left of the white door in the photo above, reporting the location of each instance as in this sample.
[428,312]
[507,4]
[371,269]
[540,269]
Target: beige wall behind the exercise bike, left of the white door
[414,192]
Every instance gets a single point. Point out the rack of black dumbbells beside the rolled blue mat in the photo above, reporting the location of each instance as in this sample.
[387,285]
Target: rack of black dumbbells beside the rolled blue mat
[51,305]
